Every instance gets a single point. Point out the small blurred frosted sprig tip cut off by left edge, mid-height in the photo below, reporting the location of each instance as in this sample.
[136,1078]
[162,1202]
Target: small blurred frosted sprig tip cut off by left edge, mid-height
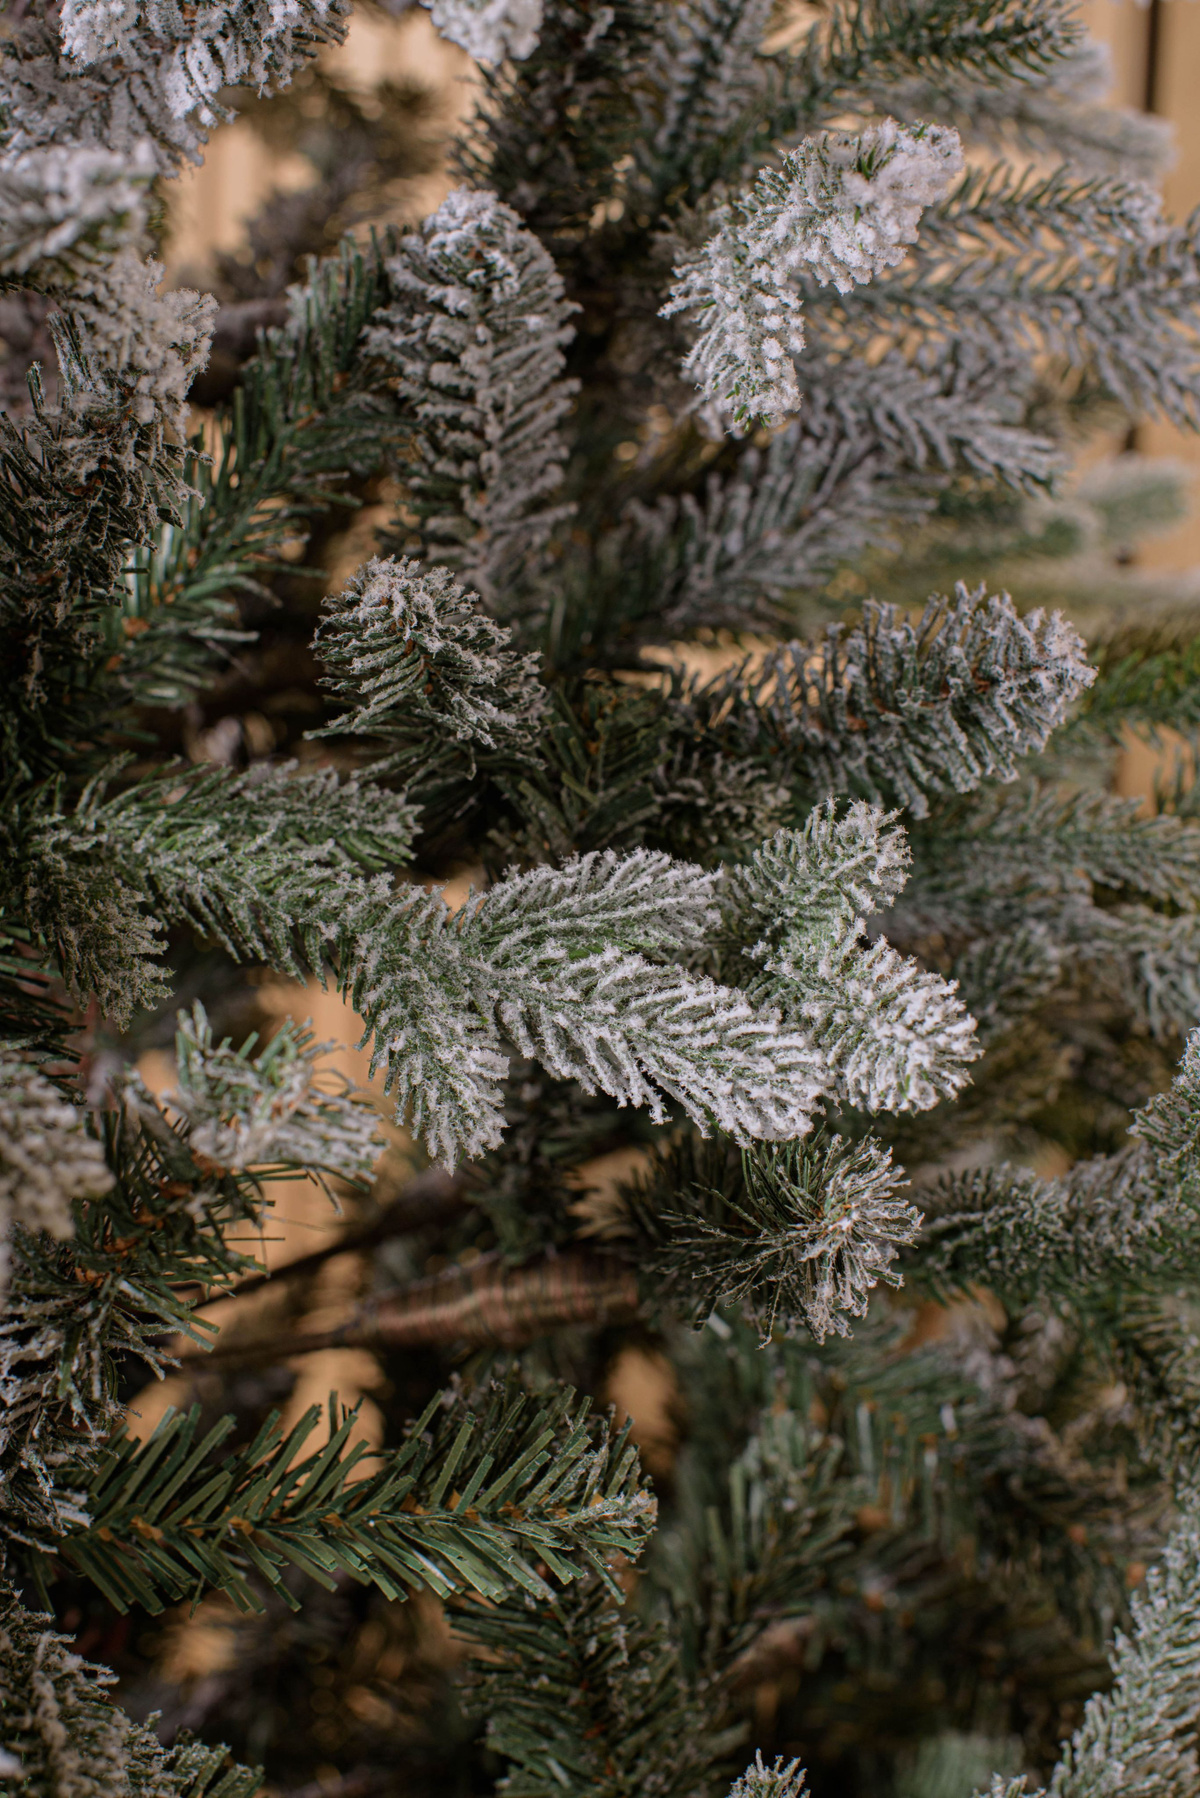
[48,1159]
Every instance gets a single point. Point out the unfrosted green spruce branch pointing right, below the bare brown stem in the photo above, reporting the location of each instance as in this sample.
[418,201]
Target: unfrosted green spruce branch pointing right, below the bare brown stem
[474,1500]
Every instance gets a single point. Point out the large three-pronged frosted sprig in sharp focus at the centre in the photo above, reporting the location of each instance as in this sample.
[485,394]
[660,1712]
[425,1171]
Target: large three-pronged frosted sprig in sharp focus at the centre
[557,965]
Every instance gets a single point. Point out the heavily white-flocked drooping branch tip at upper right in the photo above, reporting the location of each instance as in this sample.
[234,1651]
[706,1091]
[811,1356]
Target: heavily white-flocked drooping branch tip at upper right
[839,209]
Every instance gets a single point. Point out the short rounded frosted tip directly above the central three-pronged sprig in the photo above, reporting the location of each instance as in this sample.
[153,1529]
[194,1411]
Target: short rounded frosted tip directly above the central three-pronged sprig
[409,652]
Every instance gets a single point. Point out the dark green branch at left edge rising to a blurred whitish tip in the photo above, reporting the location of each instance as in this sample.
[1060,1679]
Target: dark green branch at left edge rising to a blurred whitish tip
[157,1225]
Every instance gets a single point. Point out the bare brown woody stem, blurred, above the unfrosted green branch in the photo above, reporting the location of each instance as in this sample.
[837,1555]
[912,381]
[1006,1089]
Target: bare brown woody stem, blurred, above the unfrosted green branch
[474,1306]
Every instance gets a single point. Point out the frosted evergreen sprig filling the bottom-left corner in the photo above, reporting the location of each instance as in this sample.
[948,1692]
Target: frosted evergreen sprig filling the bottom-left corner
[64,1738]
